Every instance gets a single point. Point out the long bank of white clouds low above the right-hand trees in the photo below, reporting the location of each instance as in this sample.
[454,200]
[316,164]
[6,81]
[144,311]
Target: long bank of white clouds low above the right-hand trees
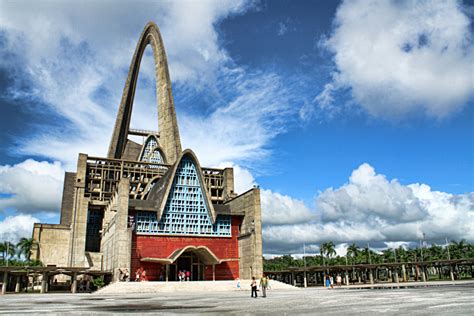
[371,208]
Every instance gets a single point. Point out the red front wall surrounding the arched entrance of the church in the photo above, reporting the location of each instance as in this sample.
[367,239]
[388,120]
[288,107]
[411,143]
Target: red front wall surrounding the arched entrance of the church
[148,246]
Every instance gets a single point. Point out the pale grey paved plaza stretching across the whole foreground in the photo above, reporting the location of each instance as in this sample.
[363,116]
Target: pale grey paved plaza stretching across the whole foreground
[434,300]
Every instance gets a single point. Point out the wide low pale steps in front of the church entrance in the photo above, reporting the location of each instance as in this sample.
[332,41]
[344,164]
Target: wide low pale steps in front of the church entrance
[193,286]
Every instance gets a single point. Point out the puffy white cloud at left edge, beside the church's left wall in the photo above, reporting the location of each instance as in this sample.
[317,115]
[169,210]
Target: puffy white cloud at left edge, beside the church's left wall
[31,186]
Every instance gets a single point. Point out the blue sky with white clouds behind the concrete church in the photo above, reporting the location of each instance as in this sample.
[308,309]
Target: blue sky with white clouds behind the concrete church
[355,118]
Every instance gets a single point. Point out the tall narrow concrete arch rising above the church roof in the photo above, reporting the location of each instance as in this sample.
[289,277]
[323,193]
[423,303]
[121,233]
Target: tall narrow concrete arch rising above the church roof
[169,133]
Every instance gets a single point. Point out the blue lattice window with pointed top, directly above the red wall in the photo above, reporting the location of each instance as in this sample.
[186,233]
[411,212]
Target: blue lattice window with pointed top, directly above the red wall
[186,212]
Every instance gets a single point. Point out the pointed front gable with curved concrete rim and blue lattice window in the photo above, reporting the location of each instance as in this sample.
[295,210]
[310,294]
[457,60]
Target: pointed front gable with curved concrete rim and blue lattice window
[183,204]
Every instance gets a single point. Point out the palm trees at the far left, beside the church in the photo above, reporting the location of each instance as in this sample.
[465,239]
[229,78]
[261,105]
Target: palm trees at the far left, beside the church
[18,254]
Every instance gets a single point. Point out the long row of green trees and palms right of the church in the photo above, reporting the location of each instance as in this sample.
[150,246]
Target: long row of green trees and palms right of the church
[365,255]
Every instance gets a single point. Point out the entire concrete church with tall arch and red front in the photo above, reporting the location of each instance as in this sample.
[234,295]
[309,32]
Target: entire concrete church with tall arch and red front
[151,205]
